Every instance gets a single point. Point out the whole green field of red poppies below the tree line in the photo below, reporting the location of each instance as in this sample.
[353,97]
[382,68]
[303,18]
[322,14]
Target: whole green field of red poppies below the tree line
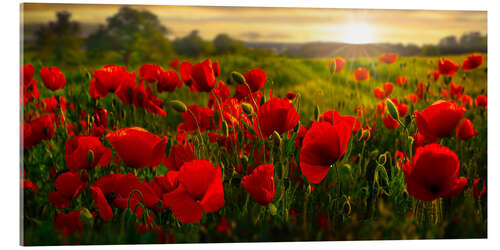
[238,148]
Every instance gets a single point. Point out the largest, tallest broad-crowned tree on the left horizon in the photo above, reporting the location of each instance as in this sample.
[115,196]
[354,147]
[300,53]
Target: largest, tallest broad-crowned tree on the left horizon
[130,31]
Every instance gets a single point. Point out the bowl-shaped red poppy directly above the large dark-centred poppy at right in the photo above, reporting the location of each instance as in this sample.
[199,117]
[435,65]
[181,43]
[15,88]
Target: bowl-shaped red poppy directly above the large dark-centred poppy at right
[439,119]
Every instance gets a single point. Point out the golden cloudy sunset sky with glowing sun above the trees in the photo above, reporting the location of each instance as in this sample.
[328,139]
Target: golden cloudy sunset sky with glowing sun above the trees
[287,24]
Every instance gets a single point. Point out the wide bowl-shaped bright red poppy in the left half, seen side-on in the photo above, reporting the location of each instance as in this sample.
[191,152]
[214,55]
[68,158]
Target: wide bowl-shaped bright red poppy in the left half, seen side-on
[137,147]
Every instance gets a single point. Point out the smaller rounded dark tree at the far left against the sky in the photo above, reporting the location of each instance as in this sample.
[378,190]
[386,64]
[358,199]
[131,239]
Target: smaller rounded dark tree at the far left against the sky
[59,40]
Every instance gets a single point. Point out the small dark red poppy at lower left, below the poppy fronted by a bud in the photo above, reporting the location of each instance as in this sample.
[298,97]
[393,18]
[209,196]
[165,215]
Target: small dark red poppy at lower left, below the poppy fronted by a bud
[68,187]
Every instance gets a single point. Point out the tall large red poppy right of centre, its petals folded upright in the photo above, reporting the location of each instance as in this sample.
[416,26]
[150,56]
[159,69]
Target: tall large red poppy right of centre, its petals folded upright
[323,145]
